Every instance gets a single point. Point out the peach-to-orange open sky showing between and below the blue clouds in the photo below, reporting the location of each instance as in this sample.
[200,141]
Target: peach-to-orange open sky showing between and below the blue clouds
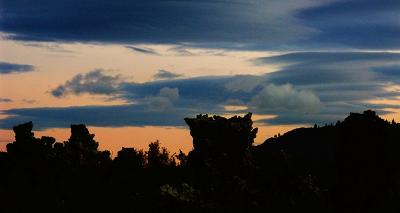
[57,64]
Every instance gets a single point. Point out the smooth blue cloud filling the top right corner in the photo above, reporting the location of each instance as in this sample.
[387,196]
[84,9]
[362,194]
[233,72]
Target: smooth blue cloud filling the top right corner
[368,24]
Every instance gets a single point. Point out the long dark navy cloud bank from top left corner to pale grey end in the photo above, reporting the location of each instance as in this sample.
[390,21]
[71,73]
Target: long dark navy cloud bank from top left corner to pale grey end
[234,24]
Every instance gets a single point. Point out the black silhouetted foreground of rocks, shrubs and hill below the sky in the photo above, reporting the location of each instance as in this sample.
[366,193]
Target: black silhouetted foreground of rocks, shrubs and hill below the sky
[352,166]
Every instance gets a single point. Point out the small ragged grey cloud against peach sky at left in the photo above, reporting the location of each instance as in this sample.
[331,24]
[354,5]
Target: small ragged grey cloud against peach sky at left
[94,82]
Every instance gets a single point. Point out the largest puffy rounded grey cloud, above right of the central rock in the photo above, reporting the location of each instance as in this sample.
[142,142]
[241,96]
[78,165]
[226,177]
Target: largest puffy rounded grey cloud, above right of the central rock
[275,98]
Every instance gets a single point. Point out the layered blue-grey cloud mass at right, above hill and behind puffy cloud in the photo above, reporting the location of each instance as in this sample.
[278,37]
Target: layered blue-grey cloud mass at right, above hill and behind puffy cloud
[343,81]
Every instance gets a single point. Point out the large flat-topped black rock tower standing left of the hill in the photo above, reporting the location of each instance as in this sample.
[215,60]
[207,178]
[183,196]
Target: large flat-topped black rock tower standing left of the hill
[219,142]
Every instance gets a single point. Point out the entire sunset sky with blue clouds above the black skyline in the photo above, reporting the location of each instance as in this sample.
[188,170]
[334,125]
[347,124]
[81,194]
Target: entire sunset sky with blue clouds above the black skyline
[133,70]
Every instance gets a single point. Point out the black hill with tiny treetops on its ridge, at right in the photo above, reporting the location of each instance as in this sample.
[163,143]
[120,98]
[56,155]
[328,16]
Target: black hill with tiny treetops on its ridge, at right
[352,166]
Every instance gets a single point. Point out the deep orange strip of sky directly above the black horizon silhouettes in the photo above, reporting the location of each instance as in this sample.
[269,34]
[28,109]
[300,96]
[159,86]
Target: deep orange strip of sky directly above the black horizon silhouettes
[113,139]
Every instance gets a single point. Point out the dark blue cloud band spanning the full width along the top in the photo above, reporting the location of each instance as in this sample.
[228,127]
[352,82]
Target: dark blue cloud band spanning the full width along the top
[250,24]
